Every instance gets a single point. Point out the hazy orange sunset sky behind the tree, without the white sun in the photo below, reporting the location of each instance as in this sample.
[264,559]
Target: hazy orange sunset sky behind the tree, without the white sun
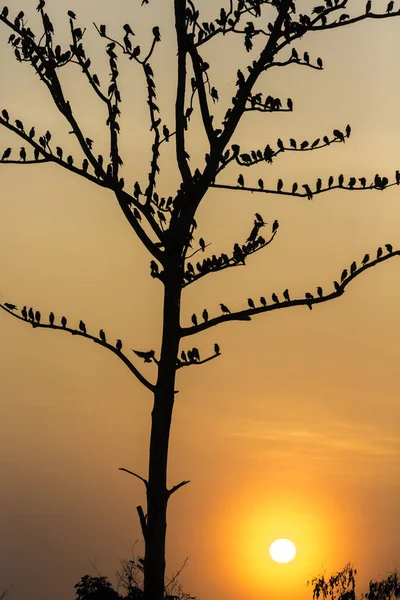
[294,431]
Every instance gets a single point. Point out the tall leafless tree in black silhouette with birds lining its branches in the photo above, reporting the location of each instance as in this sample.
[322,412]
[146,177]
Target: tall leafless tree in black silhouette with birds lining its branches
[165,224]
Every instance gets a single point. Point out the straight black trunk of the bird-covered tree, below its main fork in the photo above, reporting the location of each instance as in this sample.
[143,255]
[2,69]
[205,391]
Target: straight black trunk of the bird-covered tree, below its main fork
[157,492]
